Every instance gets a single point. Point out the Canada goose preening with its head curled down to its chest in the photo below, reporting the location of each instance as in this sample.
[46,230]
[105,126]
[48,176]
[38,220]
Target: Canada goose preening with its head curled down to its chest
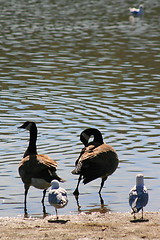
[96,159]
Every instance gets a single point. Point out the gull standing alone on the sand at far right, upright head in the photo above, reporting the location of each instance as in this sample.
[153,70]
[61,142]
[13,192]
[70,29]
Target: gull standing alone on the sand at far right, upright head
[138,196]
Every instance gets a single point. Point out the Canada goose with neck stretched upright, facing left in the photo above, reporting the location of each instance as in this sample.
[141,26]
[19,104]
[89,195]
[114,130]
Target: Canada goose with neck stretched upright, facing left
[36,170]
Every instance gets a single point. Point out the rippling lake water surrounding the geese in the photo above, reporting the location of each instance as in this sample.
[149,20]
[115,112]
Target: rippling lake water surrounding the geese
[70,66]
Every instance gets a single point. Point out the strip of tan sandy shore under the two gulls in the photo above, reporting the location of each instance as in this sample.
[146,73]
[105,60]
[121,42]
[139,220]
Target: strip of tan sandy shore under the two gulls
[82,227]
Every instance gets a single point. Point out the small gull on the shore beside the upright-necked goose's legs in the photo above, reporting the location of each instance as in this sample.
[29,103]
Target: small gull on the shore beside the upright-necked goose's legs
[57,196]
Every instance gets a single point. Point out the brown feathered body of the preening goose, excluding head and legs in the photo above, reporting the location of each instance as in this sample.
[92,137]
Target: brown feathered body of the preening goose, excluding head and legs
[95,162]
